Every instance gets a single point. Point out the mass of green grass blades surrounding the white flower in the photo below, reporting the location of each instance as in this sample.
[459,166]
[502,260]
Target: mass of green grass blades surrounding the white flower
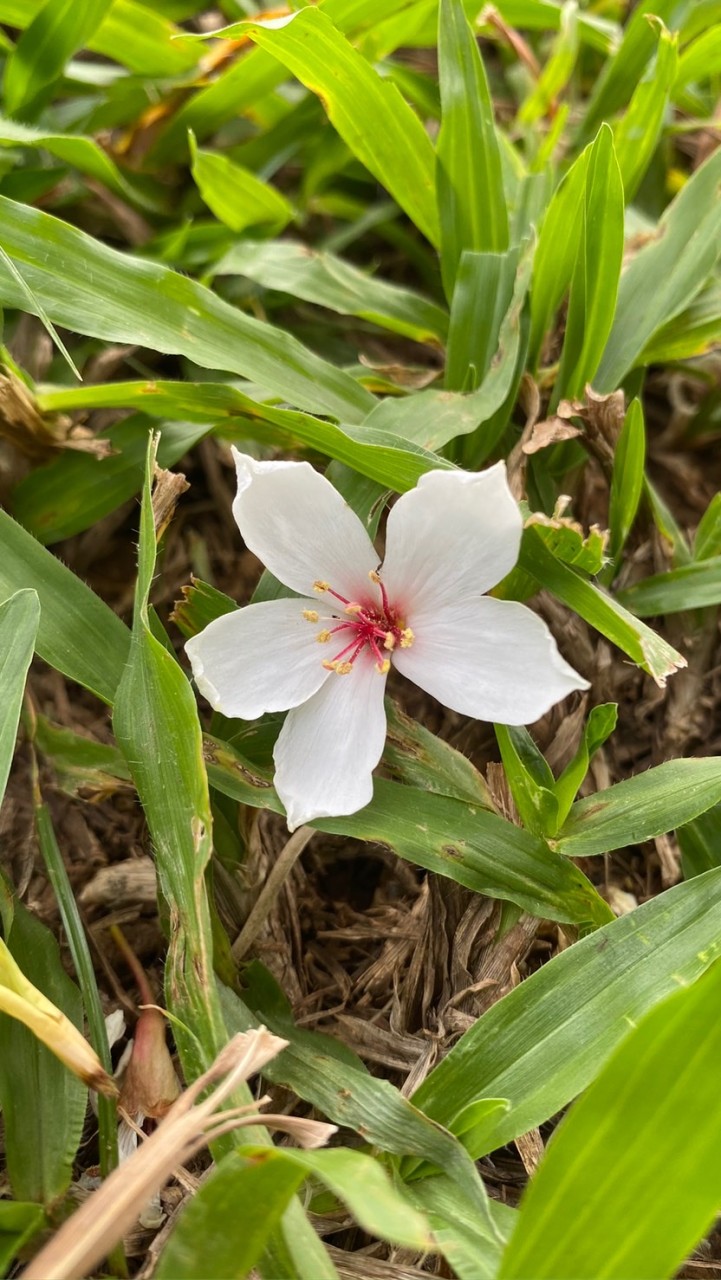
[530,226]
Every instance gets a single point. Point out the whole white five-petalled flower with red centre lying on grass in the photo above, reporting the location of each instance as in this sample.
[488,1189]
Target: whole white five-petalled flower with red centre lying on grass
[325,659]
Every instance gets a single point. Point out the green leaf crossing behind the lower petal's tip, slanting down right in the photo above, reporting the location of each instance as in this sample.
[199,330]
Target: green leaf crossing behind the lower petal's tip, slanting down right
[450,838]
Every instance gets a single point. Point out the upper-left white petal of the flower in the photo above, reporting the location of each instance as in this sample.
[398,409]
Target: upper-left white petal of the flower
[300,527]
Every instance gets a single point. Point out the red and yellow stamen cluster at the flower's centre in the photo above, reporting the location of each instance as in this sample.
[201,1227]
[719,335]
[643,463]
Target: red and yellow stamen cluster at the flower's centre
[373,627]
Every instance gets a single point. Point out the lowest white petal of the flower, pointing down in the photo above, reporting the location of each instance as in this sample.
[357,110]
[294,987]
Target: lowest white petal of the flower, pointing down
[328,747]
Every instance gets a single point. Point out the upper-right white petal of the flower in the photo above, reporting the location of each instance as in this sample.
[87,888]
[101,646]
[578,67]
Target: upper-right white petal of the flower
[458,532]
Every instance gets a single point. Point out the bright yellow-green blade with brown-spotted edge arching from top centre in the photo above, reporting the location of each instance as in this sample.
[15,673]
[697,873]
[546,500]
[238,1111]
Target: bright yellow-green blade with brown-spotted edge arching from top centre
[369,113]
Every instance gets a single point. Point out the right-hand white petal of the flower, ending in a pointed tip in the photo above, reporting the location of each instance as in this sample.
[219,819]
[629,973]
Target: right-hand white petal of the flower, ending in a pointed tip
[494,660]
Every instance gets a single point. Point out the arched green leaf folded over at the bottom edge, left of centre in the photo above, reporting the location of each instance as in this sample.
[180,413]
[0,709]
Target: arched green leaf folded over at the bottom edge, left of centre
[213,1235]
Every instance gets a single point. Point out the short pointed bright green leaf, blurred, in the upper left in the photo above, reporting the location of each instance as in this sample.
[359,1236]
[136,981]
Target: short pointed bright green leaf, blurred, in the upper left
[236,196]
